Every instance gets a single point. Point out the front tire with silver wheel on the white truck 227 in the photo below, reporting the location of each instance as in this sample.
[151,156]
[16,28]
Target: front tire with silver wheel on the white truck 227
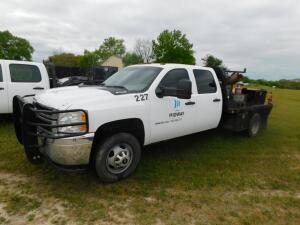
[117,157]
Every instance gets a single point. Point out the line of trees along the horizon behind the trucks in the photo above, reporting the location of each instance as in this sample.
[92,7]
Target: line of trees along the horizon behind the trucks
[169,47]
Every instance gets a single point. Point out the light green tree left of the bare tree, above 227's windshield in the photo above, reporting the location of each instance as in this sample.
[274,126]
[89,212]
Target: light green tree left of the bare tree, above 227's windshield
[111,46]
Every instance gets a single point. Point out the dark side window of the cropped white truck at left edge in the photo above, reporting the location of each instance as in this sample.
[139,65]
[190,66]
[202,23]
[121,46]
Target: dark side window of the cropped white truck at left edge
[24,73]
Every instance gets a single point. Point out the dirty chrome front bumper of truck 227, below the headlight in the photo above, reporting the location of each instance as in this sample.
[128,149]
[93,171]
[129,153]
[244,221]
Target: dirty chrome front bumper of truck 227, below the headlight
[68,152]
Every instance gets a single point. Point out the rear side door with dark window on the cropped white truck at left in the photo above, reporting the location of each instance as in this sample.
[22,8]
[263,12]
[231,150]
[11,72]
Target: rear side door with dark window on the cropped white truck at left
[25,79]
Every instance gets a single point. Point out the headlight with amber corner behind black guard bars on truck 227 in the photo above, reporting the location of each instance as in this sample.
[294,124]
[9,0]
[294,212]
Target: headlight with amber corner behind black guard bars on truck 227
[72,117]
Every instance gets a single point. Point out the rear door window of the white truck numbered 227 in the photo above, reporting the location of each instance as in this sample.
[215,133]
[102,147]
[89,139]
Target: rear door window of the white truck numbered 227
[205,81]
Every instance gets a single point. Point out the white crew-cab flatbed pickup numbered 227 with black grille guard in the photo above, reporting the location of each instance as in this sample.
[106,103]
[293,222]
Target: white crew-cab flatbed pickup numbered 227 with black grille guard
[104,127]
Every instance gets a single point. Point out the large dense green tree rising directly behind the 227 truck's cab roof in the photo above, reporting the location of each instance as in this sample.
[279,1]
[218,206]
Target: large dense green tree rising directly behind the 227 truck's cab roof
[173,47]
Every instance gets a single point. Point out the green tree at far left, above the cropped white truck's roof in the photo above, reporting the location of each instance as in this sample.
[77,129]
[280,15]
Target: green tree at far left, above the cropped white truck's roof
[13,47]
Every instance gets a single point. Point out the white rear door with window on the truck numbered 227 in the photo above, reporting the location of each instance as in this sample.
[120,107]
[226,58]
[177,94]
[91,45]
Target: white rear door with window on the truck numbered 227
[208,100]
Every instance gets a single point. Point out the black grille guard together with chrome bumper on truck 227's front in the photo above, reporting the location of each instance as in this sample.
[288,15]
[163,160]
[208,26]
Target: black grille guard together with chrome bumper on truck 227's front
[37,130]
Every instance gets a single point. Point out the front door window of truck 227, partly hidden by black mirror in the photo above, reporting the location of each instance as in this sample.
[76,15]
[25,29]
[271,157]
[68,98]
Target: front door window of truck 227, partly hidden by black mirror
[172,78]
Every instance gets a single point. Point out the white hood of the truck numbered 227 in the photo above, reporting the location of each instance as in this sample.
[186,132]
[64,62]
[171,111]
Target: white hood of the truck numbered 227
[72,97]
